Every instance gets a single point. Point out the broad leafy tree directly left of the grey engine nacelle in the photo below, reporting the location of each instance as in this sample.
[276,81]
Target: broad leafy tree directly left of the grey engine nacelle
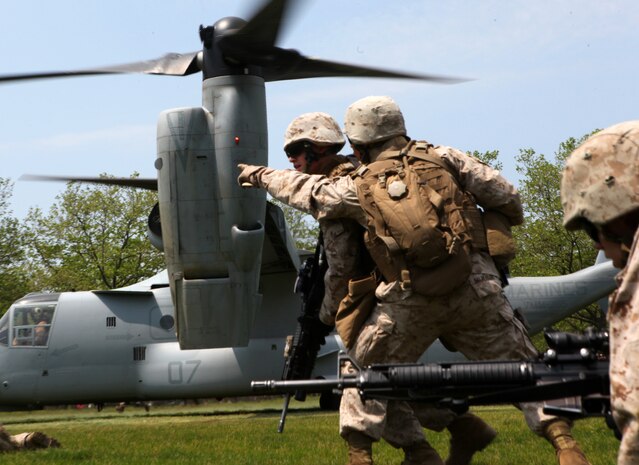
[94,237]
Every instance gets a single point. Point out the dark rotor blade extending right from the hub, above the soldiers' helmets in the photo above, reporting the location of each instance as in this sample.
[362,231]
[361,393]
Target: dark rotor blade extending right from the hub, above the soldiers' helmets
[302,67]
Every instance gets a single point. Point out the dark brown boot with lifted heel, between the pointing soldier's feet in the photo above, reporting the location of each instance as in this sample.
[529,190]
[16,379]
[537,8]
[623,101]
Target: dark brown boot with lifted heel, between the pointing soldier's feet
[468,434]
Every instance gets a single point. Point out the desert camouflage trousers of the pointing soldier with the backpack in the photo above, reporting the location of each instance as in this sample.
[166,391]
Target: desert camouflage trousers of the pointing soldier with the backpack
[476,319]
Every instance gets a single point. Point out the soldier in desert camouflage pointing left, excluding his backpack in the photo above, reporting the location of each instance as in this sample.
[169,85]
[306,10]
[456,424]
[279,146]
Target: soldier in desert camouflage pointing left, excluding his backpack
[476,318]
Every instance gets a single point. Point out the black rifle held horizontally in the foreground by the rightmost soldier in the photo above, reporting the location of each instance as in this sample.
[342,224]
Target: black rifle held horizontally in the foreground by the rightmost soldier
[573,369]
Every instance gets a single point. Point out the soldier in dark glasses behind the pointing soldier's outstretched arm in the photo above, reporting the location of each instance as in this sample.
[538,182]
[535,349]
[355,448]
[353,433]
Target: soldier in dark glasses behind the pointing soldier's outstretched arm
[304,142]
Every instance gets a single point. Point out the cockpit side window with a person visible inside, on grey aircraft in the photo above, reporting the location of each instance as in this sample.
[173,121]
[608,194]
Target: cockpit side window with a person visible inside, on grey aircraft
[32,324]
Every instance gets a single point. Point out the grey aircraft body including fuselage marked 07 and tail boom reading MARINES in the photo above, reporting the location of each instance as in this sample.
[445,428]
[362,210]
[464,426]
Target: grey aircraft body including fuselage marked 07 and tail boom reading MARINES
[111,346]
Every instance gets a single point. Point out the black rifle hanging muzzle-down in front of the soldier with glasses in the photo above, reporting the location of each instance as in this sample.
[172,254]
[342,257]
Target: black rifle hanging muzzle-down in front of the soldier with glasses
[302,348]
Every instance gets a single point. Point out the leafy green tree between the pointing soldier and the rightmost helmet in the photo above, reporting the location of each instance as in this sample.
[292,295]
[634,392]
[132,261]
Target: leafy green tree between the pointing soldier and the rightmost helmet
[545,248]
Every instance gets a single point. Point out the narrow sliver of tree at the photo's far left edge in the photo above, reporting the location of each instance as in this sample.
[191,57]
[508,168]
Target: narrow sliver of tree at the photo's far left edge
[14,282]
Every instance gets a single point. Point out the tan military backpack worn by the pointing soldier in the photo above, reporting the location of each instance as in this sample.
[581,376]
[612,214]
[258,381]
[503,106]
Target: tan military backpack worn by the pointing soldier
[418,230]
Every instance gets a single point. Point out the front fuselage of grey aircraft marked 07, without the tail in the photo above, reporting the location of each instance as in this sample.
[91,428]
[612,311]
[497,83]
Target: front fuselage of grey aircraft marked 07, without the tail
[121,346]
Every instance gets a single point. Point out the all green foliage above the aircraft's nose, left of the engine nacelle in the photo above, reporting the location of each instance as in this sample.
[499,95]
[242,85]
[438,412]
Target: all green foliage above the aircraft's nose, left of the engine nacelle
[93,237]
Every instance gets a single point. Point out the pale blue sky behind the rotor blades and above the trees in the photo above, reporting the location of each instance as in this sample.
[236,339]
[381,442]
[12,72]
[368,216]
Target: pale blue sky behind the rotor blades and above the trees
[540,72]
